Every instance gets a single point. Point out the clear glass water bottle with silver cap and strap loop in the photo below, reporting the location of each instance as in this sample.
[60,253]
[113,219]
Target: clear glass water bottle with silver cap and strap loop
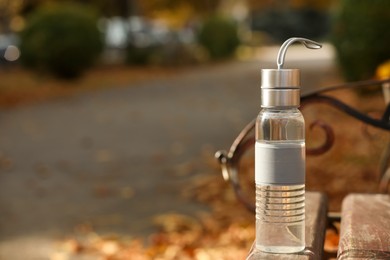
[280,159]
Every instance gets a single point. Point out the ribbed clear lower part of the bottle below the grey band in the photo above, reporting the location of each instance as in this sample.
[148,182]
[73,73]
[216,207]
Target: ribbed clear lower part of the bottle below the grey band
[280,218]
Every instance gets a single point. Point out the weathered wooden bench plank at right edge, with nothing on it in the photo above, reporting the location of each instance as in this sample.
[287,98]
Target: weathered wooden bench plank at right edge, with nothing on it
[365,227]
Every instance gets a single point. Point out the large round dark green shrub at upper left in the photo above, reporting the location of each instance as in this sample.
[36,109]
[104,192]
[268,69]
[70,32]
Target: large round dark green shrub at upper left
[61,39]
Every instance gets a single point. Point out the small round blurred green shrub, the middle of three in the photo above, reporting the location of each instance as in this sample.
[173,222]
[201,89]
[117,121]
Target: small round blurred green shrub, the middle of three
[218,36]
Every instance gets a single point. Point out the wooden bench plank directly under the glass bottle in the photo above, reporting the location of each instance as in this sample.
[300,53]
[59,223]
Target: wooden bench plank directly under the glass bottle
[315,222]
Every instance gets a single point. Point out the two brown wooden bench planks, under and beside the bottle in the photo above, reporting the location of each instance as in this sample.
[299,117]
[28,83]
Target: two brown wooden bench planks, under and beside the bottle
[365,229]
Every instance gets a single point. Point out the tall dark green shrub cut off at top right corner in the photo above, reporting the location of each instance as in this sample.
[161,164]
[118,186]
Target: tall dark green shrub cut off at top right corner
[360,36]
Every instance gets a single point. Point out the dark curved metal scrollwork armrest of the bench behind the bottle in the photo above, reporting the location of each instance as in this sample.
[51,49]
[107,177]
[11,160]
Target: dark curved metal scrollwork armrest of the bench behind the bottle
[229,161]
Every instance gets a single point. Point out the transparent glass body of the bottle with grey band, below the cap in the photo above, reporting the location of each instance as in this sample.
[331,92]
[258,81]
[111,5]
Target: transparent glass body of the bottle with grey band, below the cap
[280,186]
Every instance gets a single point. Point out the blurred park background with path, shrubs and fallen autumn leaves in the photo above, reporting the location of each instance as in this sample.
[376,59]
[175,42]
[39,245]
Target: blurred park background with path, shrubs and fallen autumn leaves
[111,111]
